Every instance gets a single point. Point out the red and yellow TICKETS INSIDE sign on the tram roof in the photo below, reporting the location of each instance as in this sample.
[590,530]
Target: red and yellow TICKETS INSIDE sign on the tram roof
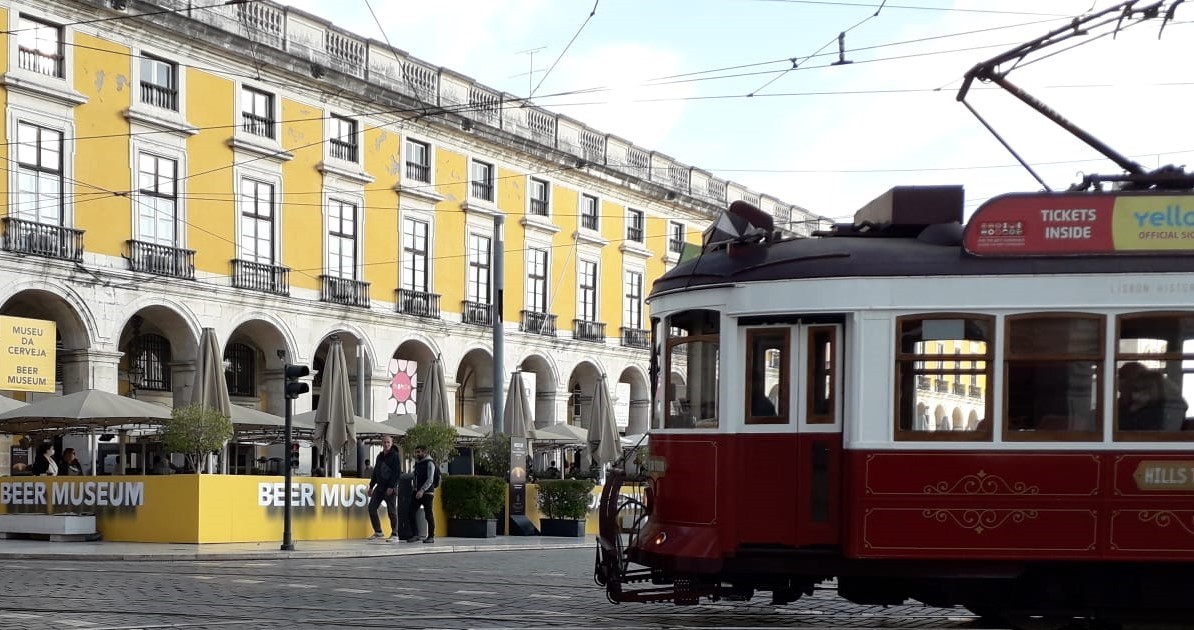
[1082,224]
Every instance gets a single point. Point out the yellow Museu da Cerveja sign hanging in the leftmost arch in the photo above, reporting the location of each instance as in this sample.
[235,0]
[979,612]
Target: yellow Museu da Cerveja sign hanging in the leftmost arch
[28,355]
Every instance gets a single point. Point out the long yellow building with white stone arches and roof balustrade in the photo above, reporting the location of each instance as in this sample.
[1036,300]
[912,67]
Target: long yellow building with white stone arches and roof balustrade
[255,170]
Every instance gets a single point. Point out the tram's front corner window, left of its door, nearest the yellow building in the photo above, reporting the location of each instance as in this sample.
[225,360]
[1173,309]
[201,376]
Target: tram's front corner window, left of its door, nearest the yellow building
[691,394]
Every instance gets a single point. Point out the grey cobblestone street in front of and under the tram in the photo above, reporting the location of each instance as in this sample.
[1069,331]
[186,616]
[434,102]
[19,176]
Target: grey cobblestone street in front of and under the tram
[527,590]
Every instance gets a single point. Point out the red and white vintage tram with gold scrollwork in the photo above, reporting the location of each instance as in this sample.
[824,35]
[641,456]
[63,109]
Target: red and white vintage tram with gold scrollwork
[993,417]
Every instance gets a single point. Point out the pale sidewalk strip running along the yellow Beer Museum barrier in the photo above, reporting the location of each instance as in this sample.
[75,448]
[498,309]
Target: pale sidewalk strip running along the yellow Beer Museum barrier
[304,549]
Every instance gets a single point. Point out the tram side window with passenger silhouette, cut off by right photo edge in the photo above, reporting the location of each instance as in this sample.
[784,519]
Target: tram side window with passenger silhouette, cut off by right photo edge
[1155,376]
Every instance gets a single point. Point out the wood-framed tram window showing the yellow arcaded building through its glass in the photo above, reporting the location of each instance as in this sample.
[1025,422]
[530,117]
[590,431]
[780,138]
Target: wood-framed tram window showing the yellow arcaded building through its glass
[943,378]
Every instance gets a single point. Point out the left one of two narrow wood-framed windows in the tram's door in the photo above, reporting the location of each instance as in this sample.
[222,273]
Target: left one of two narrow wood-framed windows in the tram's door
[767,376]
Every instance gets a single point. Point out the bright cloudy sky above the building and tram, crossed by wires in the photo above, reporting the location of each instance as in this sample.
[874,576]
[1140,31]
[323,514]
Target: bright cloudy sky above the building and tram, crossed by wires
[678,77]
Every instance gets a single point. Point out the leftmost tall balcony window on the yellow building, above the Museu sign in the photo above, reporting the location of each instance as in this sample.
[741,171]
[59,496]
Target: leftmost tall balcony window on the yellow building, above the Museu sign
[40,194]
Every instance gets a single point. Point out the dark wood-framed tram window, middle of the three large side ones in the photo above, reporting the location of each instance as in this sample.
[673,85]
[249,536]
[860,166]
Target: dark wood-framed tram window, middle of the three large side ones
[1054,378]
